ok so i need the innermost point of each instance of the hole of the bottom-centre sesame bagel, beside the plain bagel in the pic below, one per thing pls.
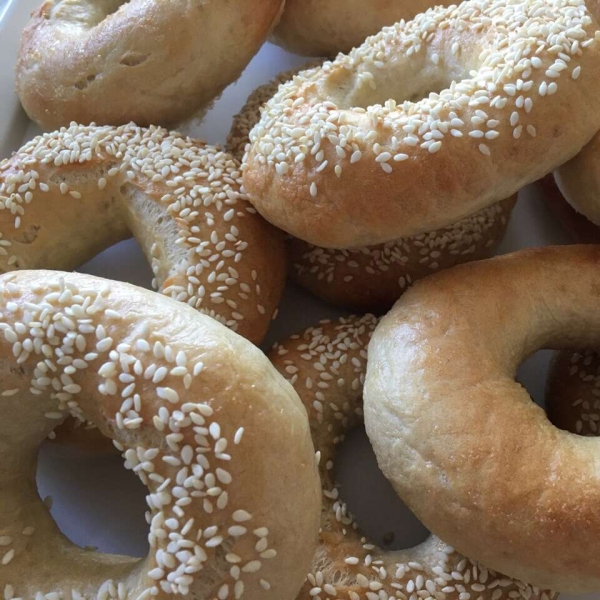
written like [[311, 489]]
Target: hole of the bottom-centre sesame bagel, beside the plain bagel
[[379, 512]]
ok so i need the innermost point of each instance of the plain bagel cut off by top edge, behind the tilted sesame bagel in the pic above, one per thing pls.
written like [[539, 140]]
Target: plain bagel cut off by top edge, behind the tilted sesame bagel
[[315, 28]]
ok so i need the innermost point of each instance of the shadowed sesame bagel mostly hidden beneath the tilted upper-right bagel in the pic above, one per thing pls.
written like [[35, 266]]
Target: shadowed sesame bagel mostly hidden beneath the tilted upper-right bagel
[[373, 277]]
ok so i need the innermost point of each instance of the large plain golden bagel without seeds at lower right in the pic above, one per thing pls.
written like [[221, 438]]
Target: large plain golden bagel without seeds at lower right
[[461, 440]]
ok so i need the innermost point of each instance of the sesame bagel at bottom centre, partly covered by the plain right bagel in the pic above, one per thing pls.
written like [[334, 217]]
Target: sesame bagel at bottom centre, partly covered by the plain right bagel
[[326, 365]]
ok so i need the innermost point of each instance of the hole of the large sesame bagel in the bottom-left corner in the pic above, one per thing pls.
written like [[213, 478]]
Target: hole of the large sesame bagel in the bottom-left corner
[[95, 502]]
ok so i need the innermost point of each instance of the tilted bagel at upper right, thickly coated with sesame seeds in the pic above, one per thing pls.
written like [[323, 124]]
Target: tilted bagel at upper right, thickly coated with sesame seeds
[[369, 145]]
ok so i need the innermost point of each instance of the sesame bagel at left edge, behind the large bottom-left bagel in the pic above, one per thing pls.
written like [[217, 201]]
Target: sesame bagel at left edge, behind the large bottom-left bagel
[[180, 198]]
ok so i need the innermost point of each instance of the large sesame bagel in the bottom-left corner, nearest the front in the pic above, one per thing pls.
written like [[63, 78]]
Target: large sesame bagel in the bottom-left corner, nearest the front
[[218, 437]]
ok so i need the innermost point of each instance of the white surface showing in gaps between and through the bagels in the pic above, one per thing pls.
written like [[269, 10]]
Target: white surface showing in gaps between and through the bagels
[[96, 501]]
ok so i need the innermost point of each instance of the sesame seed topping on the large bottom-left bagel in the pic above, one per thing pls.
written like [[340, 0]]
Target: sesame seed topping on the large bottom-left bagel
[[185, 457]]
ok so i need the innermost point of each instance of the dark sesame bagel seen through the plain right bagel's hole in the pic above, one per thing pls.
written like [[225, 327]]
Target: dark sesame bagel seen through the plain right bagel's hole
[[573, 392]]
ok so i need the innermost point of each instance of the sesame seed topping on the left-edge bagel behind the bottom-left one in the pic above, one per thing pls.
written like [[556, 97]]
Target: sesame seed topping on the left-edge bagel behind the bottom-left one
[[203, 259]]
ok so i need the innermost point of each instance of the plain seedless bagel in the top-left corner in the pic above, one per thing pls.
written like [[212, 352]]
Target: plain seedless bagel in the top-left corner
[[115, 61]]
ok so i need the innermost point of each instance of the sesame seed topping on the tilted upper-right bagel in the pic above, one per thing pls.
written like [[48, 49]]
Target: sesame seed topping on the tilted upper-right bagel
[[326, 120]]
